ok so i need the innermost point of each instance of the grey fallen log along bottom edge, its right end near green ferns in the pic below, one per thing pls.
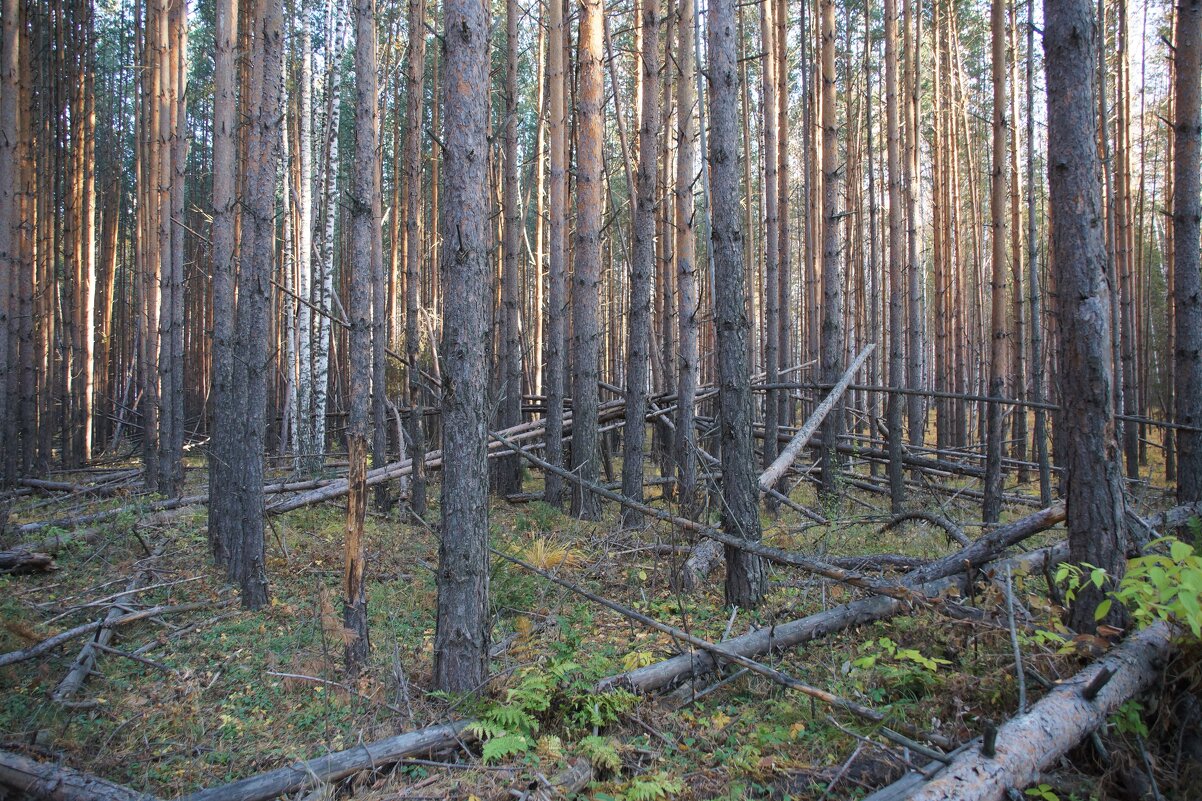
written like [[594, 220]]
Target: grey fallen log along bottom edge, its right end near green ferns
[[338, 766]]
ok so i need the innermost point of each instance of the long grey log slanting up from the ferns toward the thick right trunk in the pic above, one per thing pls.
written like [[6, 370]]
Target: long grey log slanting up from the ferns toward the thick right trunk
[[814, 627]]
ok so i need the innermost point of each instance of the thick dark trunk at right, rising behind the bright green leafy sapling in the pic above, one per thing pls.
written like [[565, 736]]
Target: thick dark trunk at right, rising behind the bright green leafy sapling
[[1096, 496]]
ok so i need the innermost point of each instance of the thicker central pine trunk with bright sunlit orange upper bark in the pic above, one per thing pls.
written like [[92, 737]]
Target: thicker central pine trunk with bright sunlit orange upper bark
[[587, 258]]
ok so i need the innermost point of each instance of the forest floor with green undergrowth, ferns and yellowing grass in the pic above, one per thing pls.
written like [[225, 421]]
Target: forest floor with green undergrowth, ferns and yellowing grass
[[229, 693]]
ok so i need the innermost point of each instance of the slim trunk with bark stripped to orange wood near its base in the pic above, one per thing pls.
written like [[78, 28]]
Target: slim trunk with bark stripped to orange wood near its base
[[365, 251]]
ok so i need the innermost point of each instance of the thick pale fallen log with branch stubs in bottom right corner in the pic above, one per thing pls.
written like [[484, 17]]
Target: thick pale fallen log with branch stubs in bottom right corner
[[1031, 743]]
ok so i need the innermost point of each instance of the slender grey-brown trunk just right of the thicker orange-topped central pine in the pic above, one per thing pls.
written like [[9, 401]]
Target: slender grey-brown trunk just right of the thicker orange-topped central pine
[[642, 266]]
